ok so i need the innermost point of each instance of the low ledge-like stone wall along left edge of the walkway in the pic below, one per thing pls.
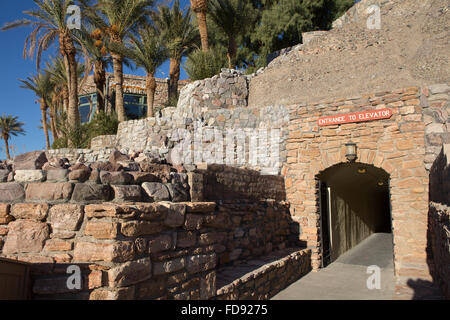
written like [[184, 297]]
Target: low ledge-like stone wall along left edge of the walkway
[[264, 277]]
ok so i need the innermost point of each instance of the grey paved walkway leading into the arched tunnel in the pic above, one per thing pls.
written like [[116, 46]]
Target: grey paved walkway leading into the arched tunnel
[[346, 278]]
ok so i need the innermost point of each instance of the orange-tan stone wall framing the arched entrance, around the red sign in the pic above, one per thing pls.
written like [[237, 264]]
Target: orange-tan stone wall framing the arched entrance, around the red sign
[[396, 145]]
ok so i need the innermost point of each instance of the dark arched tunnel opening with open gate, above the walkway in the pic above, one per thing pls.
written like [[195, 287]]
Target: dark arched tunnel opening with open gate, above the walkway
[[354, 204]]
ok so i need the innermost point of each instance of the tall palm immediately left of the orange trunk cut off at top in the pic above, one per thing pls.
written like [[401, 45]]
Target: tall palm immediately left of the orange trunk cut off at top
[[180, 37]]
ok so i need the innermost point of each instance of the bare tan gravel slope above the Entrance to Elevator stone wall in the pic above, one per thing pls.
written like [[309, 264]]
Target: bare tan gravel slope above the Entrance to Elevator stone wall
[[411, 49]]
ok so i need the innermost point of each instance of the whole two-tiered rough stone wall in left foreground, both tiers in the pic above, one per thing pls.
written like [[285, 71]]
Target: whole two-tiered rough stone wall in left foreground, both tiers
[[129, 242]]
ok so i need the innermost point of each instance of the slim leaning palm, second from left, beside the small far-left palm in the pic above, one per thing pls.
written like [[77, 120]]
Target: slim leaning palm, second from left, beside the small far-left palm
[[42, 85]]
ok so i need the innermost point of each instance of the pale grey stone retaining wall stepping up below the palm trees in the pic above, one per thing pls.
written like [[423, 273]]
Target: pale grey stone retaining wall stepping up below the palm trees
[[201, 121]]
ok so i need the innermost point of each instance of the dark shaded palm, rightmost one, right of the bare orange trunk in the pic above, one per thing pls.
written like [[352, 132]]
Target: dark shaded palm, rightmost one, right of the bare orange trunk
[[230, 16]]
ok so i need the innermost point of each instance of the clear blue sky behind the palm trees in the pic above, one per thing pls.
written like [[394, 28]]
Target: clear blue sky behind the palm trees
[[20, 102]]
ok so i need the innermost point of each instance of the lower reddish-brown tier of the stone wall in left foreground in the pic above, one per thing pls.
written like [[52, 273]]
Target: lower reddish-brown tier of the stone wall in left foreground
[[138, 250]]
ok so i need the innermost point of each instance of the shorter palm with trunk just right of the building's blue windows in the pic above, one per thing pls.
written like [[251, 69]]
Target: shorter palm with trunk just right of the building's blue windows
[[148, 52]]
